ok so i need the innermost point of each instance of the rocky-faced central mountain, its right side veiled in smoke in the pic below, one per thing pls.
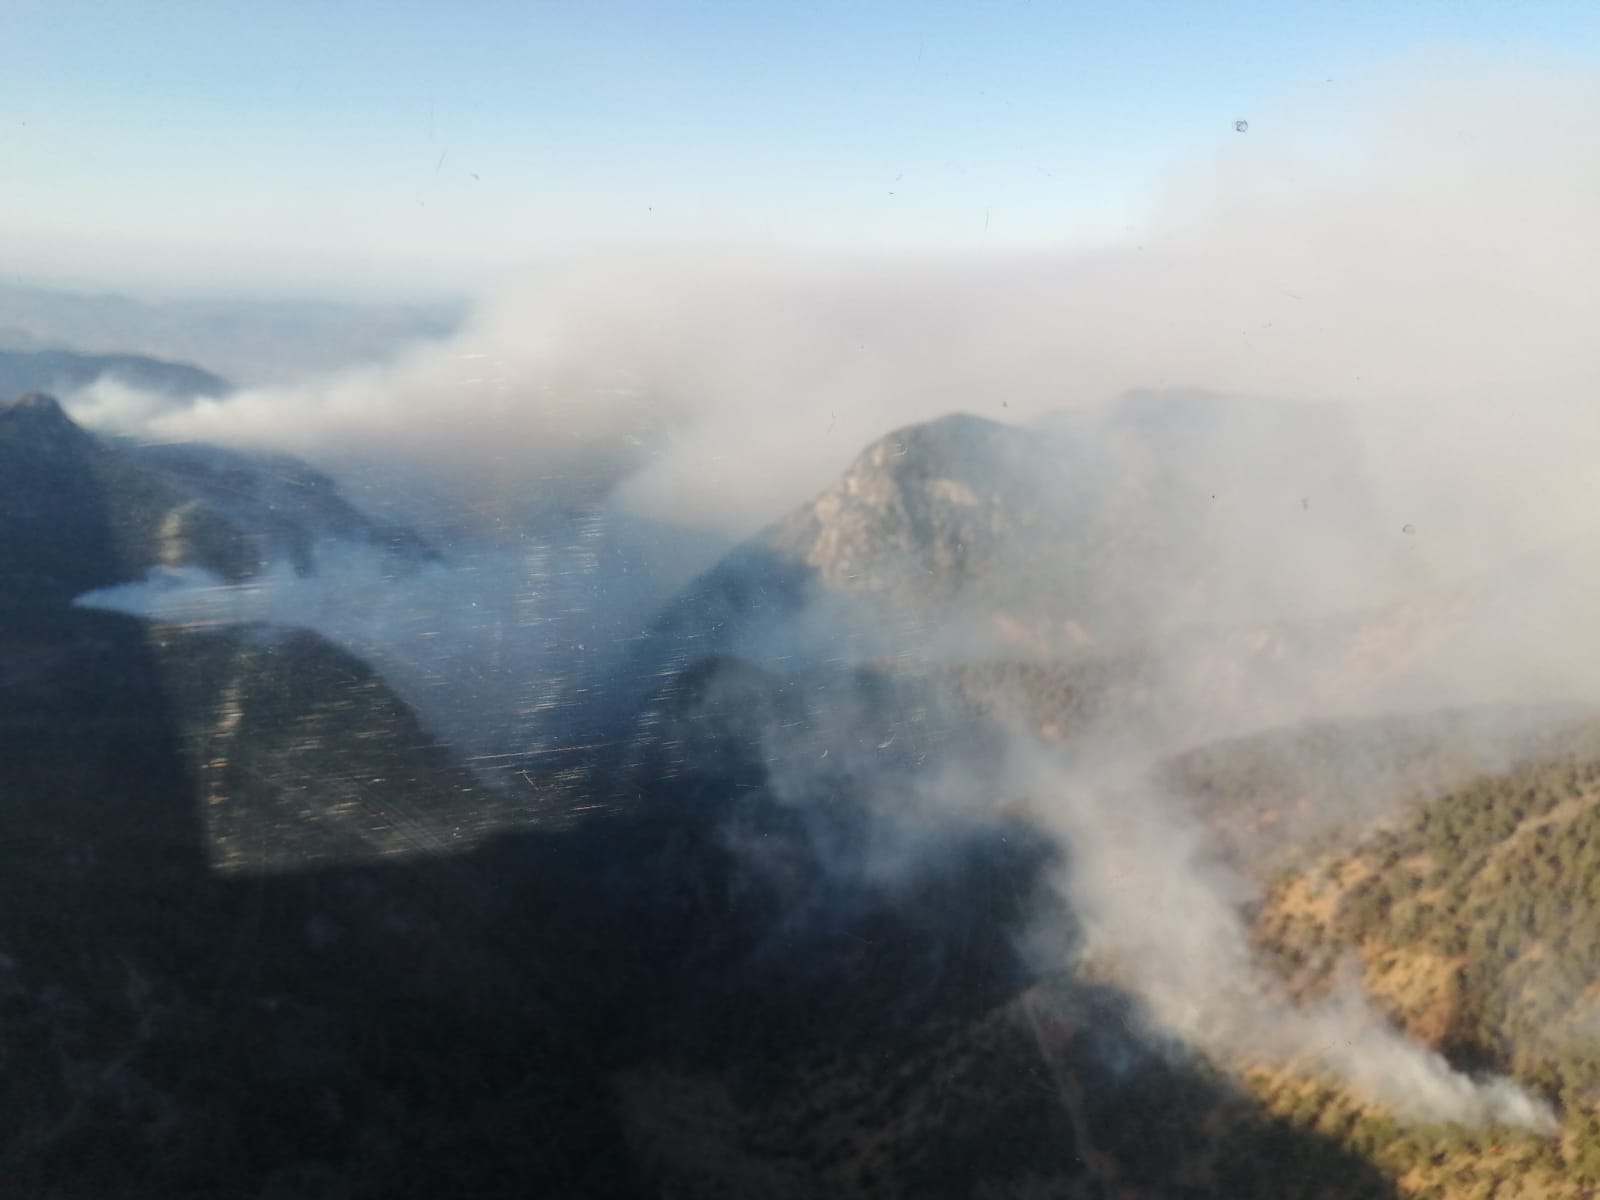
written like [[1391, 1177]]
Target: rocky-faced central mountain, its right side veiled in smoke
[[1082, 535]]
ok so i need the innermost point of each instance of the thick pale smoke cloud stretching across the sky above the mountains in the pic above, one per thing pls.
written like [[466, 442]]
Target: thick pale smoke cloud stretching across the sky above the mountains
[[1436, 271]]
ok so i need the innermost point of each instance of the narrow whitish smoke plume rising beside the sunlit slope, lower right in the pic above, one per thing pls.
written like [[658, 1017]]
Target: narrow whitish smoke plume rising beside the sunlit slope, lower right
[[1166, 918]]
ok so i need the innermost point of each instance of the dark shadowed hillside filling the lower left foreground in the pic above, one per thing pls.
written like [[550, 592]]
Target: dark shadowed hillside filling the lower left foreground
[[258, 937]]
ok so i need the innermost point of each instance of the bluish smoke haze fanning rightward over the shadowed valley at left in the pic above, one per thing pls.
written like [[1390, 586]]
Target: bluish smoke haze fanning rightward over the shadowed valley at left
[[503, 650]]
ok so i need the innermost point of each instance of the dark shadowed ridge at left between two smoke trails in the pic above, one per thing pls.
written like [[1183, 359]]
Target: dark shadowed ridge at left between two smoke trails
[[84, 513]]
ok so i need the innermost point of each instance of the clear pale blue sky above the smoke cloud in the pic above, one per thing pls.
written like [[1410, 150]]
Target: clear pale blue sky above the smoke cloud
[[369, 143]]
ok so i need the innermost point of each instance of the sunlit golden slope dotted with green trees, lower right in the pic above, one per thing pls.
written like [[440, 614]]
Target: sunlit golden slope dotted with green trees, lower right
[[1476, 922]]
